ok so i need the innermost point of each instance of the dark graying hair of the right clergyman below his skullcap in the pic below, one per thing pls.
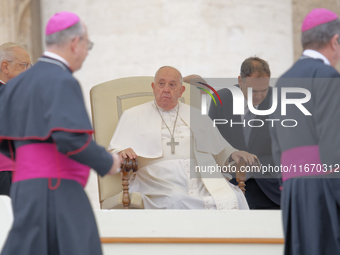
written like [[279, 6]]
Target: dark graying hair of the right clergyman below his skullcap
[[317, 37]]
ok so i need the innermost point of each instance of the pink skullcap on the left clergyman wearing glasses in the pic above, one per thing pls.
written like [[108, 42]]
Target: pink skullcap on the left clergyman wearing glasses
[[61, 21]]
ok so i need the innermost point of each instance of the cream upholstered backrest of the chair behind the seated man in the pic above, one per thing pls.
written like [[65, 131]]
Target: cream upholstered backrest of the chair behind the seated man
[[108, 101]]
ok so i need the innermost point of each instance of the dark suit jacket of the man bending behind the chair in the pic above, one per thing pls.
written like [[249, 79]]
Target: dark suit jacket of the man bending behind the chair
[[259, 144]]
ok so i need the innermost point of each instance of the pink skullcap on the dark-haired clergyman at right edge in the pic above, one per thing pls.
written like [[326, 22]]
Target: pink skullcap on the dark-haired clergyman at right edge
[[317, 17]]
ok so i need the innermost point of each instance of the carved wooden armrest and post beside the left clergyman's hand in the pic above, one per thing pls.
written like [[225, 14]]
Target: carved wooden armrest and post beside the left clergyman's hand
[[127, 166]]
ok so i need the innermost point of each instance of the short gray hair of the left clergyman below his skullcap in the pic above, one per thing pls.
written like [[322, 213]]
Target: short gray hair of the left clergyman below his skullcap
[[63, 36]]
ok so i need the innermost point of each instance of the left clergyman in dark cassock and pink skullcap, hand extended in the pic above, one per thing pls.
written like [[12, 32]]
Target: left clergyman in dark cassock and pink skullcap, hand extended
[[48, 133]]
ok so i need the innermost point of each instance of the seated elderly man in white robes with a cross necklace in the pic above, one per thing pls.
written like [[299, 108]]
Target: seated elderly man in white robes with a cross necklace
[[169, 150]]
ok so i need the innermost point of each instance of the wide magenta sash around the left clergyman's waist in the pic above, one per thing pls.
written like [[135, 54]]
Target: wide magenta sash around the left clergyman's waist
[[42, 160]]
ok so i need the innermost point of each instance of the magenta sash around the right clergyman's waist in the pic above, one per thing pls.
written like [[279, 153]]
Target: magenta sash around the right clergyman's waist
[[302, 161]]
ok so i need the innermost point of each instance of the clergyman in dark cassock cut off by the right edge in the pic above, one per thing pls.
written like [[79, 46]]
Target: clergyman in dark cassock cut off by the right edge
[[309, 150]]
